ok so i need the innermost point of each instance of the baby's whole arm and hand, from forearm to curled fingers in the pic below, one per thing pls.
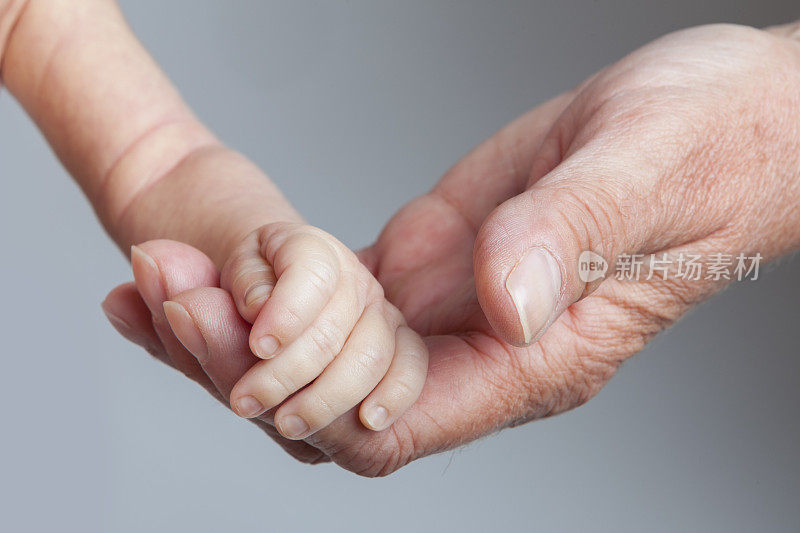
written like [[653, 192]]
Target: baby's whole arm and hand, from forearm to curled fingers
[[328, 338]]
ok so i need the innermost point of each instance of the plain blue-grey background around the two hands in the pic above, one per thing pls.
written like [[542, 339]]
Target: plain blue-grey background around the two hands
[[354, 107]]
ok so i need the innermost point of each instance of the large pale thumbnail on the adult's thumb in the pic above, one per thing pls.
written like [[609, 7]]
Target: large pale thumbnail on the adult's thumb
[[534, 285]]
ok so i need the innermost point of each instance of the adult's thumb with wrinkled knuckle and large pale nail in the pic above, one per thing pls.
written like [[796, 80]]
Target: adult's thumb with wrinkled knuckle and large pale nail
[[541, 251]]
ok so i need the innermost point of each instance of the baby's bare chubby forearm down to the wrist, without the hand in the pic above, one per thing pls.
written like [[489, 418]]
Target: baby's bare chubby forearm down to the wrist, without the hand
[[123, 131]]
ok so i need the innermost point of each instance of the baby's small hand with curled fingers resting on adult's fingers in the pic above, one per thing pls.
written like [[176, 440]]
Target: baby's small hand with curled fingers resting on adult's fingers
[[328, 338]]
